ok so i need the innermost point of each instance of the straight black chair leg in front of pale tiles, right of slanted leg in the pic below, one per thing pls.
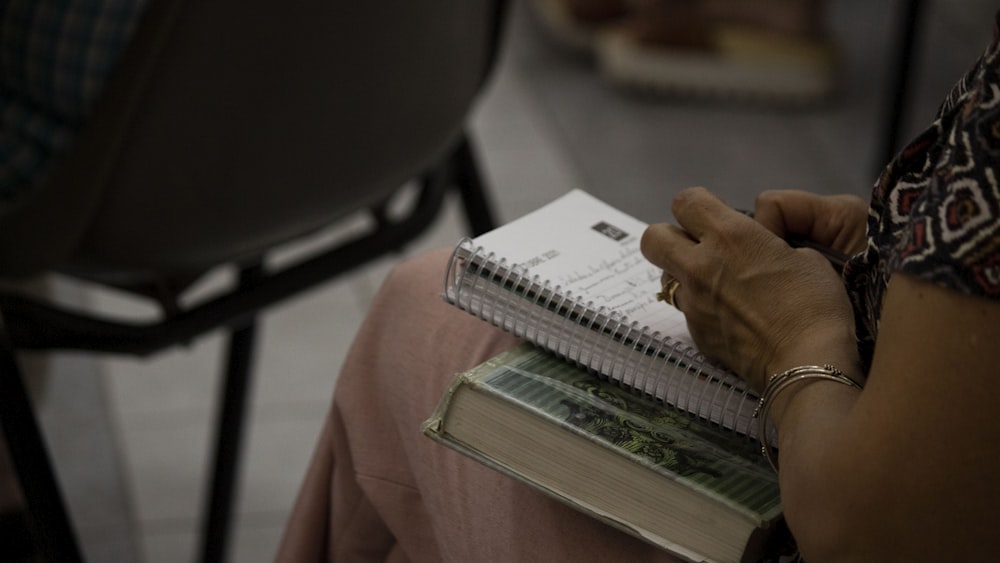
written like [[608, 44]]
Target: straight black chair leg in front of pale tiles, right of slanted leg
[[229, 435]]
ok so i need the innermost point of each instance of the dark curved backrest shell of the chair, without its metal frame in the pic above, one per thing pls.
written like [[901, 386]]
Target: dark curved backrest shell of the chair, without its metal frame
[[231, 125]]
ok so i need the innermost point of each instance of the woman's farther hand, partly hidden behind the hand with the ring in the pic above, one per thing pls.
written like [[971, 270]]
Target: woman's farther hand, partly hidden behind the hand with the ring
[[837, 221]]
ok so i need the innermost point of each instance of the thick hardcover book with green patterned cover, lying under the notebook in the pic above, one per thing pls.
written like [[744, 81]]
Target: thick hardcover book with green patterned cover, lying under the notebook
[[719, 472]]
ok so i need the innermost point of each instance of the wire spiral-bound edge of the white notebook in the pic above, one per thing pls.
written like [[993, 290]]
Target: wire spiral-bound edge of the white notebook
[[606, 342]]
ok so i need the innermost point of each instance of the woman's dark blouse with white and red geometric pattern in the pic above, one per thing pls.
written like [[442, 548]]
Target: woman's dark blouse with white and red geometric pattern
[[935, 210]]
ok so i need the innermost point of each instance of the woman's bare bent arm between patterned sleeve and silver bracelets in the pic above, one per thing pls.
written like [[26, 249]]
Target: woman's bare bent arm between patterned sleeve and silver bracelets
[[904, 470]]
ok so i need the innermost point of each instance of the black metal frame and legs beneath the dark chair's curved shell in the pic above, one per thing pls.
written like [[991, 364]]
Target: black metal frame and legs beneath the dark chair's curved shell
[[30, 324]]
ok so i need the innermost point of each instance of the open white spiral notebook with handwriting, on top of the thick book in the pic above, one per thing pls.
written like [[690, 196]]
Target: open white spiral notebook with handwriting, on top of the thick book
[[570, 277]]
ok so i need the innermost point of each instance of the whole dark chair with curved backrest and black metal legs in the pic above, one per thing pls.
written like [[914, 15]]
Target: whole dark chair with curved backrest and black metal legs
[[227, 129]]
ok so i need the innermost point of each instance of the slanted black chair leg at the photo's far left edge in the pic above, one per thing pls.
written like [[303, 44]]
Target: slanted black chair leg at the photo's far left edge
[[48, 517]]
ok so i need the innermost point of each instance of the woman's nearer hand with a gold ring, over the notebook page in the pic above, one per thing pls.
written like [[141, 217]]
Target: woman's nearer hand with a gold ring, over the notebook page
[[751, 301]]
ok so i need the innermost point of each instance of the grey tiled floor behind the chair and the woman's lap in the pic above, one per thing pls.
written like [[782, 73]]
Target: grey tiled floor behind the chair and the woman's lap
[[548, 123]]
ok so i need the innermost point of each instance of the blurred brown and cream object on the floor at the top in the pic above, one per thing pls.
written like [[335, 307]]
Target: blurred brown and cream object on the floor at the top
[[775, 51]]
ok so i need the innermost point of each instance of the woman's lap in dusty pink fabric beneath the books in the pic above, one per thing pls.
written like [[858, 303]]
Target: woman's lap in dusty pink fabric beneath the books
[[434, 504]]
